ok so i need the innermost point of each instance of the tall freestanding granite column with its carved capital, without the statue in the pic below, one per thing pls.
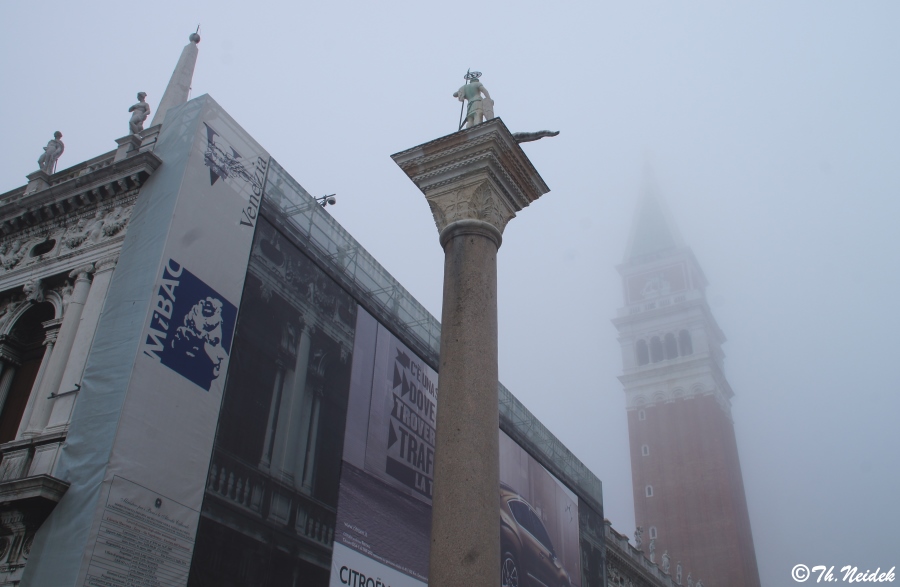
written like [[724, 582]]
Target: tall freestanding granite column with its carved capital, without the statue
[[474, 181]]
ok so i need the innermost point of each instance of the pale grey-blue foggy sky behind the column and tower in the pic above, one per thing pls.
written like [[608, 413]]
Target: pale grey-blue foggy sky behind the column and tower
[[770, 129]]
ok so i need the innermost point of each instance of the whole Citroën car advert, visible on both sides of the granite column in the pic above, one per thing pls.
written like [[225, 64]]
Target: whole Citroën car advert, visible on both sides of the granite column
[[383, 525]]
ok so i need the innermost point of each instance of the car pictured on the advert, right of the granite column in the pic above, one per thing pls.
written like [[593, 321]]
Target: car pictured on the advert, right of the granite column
[[528, 558]]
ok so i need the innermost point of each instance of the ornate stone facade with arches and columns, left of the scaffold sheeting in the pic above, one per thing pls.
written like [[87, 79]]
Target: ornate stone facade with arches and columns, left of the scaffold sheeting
[[61, 235]]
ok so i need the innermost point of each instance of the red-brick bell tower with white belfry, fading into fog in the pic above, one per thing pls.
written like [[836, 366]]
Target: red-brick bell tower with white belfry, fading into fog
[[688, 490]]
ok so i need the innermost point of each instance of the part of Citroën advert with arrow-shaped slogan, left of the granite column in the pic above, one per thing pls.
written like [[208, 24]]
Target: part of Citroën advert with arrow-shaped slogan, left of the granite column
[[384, 504]]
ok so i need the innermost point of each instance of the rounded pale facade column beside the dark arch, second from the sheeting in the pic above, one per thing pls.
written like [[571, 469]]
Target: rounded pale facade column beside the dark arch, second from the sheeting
[[52, 377]]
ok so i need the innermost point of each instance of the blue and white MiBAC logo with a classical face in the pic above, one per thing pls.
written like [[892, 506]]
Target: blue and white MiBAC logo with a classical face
[[198, 347]]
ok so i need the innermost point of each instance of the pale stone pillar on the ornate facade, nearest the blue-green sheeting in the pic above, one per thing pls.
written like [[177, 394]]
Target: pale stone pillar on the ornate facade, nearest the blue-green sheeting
[[81, 346]]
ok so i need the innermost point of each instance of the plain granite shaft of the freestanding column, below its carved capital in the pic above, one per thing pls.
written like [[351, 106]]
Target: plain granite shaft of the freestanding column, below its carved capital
[[466, 504]]
